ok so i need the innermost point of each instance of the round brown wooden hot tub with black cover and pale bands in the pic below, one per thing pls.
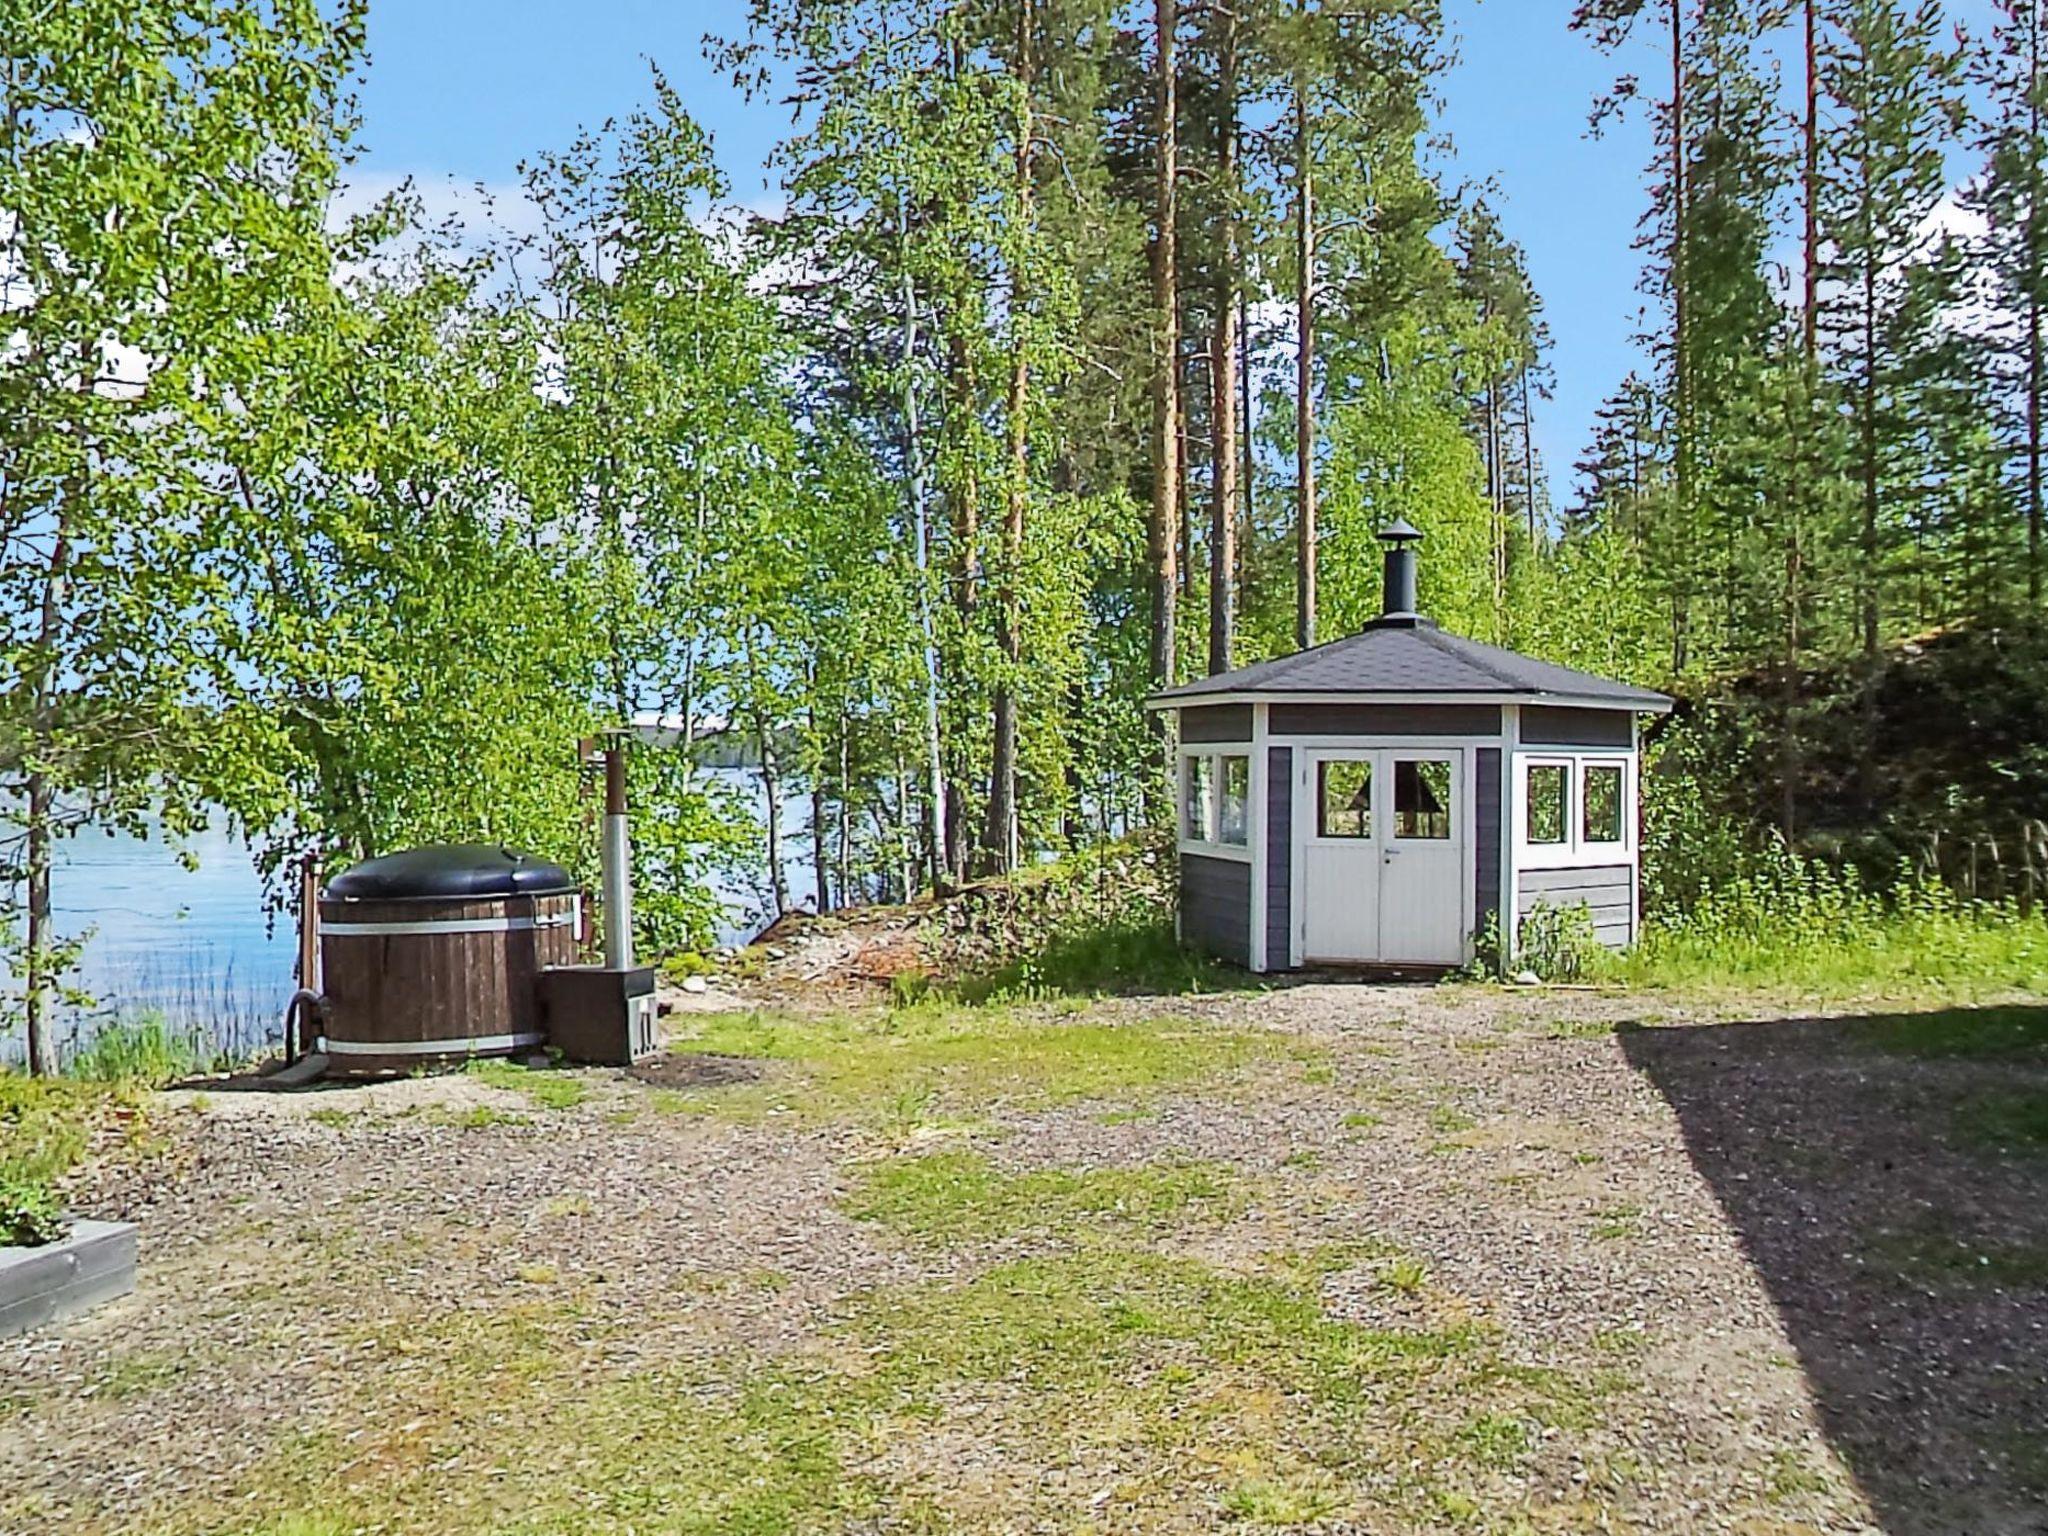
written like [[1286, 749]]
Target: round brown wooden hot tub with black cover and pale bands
[[435, 955]]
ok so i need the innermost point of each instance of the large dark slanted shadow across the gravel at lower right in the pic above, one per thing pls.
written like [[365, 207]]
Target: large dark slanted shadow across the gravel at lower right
[[1889, 1179]]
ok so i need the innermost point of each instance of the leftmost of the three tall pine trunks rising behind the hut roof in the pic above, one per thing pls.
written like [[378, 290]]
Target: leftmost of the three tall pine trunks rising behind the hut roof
[[1162, 531]]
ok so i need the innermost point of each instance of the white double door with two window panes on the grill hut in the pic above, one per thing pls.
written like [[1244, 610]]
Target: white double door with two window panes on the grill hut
[[1381, 843]]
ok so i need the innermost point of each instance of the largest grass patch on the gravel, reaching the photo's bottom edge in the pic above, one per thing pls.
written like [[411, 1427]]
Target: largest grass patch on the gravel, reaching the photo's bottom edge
[[1197, 1383]]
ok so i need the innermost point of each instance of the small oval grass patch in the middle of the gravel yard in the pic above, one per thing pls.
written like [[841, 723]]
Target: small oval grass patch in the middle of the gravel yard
[[959, 1197]]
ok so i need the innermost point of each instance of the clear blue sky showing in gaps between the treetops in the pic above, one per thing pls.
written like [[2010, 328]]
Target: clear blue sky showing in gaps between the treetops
[[464, 89]]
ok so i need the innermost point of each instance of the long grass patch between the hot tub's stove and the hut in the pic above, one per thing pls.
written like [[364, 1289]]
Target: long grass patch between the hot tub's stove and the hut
[[912, 1066]]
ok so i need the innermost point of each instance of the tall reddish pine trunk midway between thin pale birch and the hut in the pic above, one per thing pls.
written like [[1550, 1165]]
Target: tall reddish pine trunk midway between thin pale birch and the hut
[[1002, 837]]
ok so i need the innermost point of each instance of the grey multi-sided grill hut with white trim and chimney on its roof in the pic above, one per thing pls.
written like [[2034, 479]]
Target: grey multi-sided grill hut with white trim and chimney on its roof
[[1377, 800]]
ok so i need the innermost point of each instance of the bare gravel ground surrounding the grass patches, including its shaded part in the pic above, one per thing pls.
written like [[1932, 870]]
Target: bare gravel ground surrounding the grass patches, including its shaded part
[[1828, 1287]]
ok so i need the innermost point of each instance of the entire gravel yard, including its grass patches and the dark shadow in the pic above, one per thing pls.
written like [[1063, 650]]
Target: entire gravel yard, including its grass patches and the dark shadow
[[1318, 1258]]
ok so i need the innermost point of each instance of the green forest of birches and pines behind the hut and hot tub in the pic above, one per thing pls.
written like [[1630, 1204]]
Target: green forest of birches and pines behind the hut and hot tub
[[1089, 353]]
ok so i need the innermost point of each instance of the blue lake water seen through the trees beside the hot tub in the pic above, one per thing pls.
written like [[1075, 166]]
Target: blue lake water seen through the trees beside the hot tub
[[198, 945]]
